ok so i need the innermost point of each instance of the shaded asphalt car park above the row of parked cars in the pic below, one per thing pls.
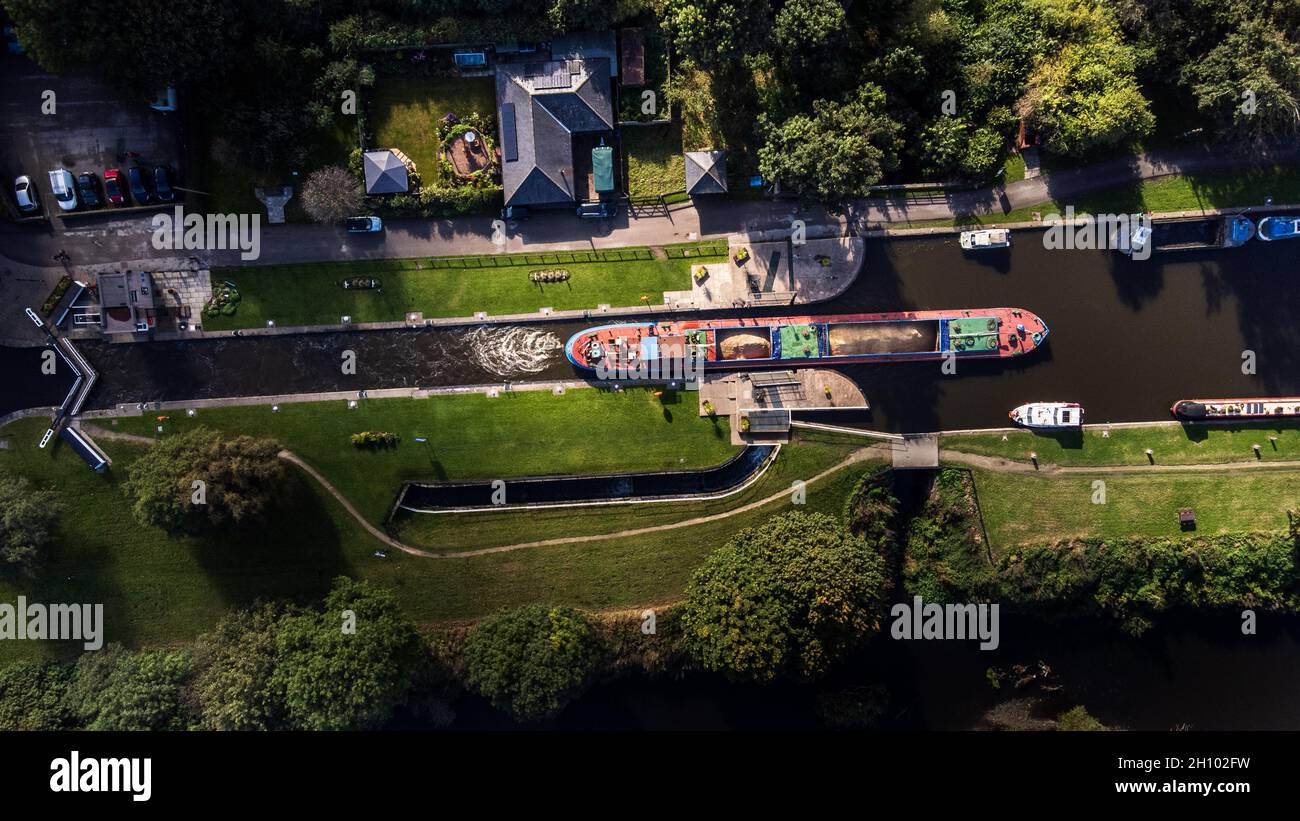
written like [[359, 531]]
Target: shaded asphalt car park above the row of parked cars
[[92, 129]]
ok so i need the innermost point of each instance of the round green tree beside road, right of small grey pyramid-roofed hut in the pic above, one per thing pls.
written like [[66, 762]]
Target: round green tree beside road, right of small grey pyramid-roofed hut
[[835, 155]]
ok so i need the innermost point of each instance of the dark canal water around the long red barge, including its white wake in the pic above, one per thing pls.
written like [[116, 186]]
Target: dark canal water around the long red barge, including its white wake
[[1128, 338]]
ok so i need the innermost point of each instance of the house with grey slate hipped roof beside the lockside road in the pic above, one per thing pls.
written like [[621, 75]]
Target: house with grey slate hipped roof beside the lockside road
[[552, 116]]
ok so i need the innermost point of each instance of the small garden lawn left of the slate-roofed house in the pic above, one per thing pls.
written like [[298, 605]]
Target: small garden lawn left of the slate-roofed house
[[406, 112]]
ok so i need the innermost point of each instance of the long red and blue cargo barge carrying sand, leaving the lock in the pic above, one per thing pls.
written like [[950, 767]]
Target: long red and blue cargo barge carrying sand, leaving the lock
[[786, 342]]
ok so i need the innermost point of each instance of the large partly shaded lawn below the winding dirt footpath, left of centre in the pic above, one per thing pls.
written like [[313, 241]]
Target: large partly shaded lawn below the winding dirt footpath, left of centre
[[161, 590]]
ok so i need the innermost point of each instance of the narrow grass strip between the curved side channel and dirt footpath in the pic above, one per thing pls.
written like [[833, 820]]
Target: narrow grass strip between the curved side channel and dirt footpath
[[450, 532]]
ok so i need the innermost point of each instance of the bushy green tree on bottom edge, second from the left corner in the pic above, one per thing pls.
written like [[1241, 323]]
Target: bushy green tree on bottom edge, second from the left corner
[[115, 689]]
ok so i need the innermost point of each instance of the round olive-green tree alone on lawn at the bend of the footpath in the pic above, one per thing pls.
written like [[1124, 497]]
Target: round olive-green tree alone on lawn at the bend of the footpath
[[240, 481]]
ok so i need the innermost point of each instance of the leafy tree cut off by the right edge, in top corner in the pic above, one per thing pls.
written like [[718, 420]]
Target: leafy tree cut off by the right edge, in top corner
[[1251, 82]]
